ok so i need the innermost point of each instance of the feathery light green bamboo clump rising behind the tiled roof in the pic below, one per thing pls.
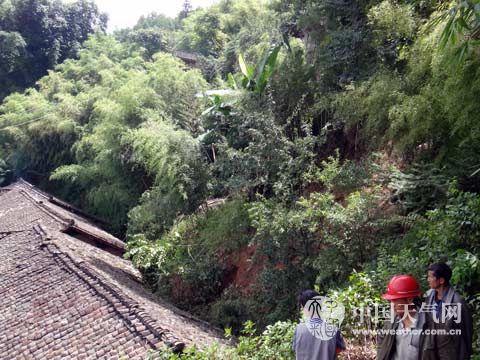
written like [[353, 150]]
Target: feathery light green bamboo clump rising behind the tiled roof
[[110, 126]]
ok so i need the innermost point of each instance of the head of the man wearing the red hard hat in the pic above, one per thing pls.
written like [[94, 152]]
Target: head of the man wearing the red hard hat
[[402, 292]]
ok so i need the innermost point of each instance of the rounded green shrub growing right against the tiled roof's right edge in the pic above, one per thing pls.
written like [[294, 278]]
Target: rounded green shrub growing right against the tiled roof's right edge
[[184, 264]]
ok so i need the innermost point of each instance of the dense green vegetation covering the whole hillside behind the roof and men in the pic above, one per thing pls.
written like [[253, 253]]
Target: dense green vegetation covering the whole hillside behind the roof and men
[[342, 148]]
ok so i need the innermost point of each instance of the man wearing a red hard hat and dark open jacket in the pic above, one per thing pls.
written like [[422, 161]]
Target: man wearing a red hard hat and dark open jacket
[[400, 338]]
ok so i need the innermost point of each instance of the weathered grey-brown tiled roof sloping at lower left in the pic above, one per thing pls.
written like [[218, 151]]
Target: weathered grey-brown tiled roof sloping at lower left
[[65, 293]]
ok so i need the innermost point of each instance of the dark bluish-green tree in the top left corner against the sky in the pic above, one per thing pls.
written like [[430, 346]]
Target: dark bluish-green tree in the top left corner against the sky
[[36, 35]]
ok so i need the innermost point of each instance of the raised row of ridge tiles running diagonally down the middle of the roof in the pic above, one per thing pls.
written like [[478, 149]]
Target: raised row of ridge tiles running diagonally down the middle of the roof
[[134, 315]]
